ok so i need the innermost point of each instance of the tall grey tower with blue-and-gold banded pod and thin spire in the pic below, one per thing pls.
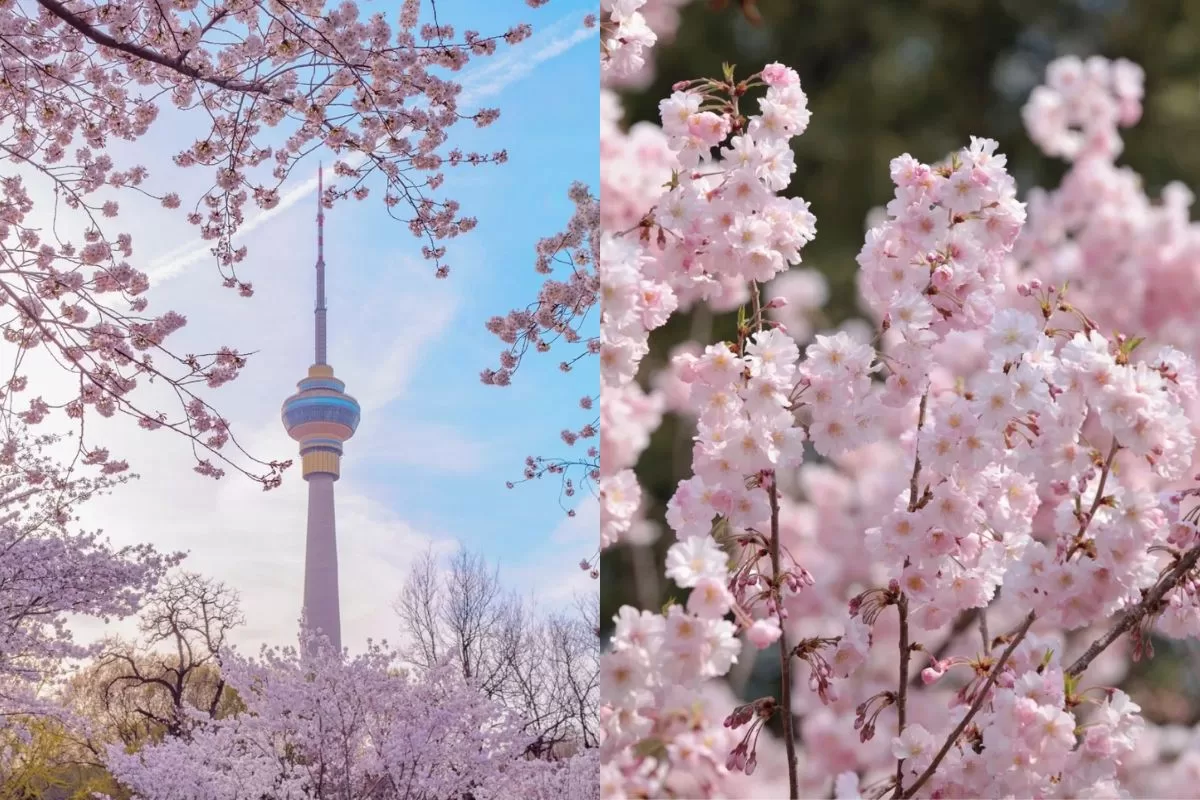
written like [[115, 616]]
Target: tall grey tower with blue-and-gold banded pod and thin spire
[[321, 417]]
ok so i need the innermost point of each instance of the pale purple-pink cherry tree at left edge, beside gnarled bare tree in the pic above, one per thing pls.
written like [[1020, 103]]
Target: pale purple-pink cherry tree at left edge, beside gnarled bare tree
[[52, 573]]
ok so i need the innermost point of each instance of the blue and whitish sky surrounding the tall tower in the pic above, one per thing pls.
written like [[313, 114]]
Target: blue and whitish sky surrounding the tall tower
[[429, 464]]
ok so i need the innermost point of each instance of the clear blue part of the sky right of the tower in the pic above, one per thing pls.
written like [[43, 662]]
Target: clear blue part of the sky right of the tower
[[549, 125]]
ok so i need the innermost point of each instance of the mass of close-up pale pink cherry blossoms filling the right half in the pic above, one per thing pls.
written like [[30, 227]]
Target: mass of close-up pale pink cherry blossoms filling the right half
[[953, 533]]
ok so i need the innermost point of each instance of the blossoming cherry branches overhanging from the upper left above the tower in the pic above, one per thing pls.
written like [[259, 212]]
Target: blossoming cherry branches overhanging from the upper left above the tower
[[263, 87]]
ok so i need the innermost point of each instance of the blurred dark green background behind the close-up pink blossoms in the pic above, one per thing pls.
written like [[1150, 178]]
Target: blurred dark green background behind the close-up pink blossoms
[[905, 76]]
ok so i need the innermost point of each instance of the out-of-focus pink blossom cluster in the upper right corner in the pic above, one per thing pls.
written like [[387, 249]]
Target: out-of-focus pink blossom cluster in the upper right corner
[[1129, 257]]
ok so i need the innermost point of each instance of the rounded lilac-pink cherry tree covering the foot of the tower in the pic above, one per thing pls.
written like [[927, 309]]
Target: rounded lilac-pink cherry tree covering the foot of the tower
[[359, 730]]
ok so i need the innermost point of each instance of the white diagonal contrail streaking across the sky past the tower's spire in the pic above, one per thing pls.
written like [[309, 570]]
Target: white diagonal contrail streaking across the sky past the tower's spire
[[479, 83]]
